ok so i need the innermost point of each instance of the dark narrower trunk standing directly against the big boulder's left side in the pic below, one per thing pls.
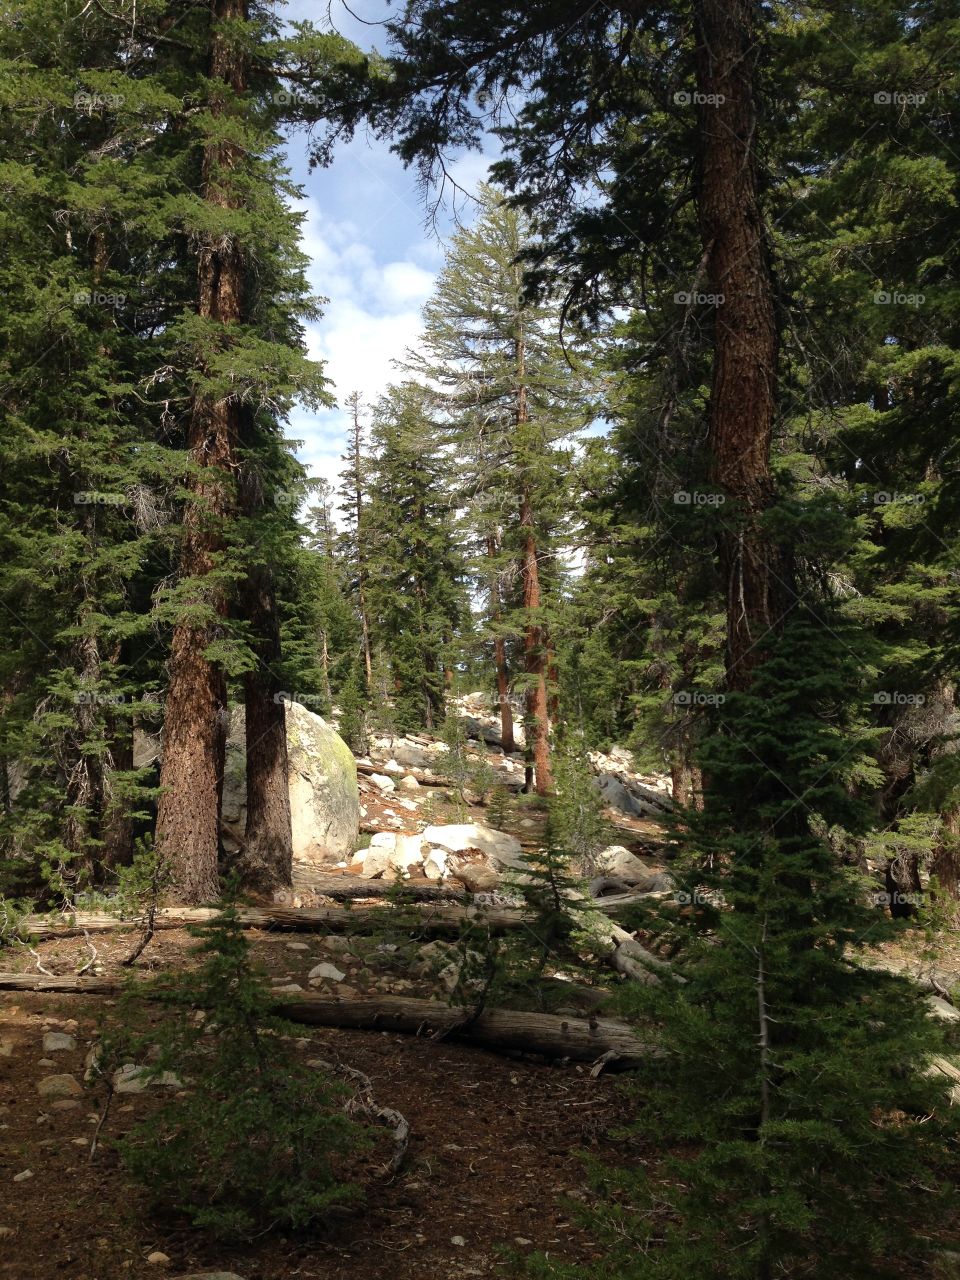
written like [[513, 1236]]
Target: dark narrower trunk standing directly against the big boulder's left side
[[266, 862]]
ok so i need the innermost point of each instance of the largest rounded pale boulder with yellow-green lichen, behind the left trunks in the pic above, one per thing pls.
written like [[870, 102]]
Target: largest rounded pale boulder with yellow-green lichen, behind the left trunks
[[323, 787]]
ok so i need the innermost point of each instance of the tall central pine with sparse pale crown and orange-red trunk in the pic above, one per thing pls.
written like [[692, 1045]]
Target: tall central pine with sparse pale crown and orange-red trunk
[[510, 399]]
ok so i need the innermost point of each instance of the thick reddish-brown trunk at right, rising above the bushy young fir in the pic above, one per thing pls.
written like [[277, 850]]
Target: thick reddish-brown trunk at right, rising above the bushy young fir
[[743, 395]]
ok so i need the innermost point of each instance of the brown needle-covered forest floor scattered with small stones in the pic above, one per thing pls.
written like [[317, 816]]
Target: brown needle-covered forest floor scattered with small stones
[[495, 1163]]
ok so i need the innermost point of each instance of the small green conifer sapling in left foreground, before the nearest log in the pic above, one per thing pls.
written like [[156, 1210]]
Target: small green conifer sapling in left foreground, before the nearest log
[[252, 1141]]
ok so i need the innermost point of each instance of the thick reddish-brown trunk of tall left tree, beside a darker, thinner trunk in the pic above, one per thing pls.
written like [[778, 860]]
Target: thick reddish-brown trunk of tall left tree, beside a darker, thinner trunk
[[191, 775]]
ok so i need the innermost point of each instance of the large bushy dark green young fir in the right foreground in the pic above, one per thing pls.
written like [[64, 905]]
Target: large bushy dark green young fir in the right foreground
[[794, 1096]]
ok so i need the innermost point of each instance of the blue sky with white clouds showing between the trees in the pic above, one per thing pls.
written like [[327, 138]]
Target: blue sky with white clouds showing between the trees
[[372, 255]]
